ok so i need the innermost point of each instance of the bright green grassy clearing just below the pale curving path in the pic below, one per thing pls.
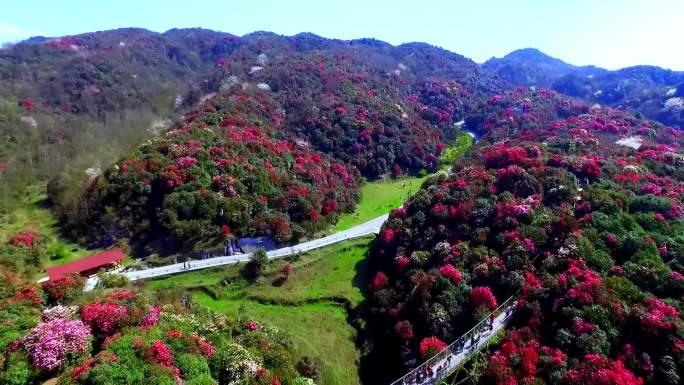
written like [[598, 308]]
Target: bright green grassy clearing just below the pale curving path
[[310, 305]]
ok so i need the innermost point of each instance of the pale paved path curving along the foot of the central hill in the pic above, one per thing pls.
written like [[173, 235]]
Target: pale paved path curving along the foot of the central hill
[[370, 227]]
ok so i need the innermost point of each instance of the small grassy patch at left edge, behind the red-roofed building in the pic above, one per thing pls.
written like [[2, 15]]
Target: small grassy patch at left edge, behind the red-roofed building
[[29, 212]]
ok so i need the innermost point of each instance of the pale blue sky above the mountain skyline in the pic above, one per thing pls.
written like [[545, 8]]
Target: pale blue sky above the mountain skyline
[[608, 33]]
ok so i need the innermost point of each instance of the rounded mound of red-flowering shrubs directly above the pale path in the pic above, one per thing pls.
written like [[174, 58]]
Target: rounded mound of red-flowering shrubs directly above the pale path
[[227, 169]]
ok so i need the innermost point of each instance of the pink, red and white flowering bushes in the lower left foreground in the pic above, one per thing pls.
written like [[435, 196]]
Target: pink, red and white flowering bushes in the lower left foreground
[[135, 343]]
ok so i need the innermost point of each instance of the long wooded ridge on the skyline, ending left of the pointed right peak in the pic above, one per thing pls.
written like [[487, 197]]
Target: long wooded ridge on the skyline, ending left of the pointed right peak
[[101, 72]]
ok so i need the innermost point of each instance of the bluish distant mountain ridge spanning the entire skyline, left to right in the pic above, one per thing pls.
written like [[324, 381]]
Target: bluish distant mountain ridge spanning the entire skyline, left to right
[[100, 72]]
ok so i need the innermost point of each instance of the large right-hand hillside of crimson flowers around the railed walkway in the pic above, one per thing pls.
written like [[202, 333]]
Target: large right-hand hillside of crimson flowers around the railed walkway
[[576, 210]]
